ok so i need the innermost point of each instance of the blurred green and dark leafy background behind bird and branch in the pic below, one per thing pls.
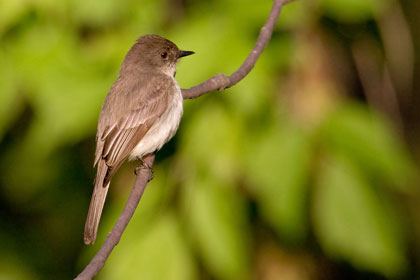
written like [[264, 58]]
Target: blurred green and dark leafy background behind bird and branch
[[306, 169]]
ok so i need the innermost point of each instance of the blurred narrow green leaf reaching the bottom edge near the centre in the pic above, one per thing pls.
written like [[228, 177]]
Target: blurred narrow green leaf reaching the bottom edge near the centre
[[216, 218]]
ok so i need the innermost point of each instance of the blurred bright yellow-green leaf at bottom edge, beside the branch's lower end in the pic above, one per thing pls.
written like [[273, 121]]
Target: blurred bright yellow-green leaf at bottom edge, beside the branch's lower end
[[159, 252]]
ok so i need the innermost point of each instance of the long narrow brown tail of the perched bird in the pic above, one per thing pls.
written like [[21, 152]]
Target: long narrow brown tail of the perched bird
[[96, 204]]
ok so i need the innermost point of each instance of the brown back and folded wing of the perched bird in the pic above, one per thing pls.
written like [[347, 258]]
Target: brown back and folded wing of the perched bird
[[127, 116]]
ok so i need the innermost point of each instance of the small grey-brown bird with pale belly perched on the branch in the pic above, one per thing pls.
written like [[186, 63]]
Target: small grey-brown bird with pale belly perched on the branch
[[141, 112]]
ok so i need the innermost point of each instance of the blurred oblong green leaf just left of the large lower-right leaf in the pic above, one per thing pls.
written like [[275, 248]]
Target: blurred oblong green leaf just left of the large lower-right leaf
[[279, 168]]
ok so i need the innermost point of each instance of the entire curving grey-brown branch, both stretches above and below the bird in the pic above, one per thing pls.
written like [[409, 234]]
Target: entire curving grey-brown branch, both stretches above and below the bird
[[217, 82]]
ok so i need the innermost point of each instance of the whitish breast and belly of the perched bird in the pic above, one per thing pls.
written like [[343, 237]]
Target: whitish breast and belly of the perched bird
[[162, 130]]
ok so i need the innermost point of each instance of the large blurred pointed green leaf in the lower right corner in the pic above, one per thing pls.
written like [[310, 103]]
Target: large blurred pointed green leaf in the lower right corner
[[354, 223]]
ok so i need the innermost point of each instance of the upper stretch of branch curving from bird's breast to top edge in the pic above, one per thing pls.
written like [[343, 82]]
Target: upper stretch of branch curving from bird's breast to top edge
[[221, 81]]
